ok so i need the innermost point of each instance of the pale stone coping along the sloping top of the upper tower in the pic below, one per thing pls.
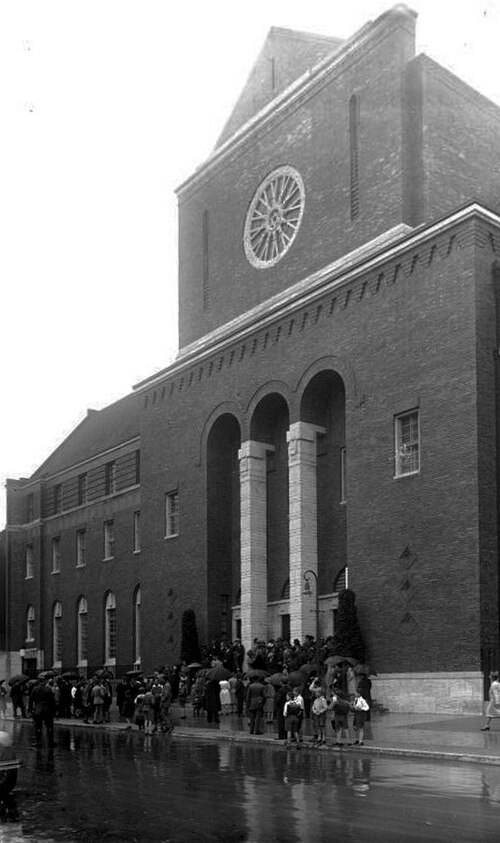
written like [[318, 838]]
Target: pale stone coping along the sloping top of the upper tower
[[302, 87]]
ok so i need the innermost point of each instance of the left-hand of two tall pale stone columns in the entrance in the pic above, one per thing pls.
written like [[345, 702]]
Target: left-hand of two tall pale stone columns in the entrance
[[253, 502]]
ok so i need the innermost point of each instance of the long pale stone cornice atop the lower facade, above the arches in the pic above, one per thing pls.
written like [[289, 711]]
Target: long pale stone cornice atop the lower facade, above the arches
[[331, 279]]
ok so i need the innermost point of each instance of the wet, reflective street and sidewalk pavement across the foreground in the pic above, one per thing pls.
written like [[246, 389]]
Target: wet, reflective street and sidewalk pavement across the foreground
[[207, 784]]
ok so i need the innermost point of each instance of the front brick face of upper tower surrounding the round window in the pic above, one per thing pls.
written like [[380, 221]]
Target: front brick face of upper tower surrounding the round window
[[313, 138]]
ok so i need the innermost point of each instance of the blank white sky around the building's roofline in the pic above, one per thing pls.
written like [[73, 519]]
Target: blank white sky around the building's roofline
[[105, 107]]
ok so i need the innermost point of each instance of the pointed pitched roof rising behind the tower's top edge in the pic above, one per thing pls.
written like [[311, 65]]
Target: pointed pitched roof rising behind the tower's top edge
[[286, 55]]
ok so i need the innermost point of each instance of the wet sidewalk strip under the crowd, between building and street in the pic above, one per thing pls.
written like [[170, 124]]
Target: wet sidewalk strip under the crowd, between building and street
[[448, 737]]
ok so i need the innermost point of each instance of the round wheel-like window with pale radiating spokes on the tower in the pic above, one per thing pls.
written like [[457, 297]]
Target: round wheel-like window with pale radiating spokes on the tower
[[274, 217]]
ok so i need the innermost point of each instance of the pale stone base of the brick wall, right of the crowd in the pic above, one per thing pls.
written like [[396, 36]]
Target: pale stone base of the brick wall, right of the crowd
[[430, 693]]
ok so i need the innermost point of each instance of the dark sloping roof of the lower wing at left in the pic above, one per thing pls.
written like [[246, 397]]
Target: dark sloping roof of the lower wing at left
[[99, 431]]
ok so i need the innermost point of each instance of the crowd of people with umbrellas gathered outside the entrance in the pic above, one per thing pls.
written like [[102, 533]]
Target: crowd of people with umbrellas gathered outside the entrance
[[278, 683]]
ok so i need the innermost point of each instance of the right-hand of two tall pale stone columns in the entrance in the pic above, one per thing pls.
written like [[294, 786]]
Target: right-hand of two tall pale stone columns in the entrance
[[301, 439]]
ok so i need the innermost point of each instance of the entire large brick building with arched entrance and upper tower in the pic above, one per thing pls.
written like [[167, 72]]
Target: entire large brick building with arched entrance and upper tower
[[333, 405]]
